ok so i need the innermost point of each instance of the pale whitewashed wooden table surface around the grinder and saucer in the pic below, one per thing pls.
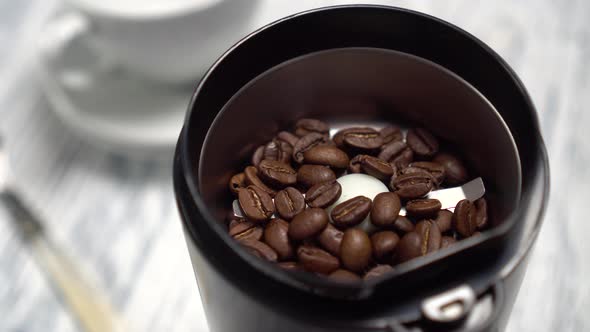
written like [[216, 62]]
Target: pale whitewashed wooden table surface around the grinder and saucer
[[116, 216]]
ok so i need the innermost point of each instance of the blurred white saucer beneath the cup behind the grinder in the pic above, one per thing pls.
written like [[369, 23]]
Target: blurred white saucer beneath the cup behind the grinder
[[108, 106]]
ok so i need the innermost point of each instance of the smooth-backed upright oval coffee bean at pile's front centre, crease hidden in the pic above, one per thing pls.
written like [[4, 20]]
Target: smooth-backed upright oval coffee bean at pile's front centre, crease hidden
[[355, 250]]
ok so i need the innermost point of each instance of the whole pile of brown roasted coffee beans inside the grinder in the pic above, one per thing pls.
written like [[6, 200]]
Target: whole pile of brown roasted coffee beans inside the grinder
[[286, 196]]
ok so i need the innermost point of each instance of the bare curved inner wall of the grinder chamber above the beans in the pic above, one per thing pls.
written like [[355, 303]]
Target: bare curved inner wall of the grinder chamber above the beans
[[358, 87]]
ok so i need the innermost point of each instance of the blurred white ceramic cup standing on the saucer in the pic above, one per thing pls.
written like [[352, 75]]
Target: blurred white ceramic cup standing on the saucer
[[172, 41]]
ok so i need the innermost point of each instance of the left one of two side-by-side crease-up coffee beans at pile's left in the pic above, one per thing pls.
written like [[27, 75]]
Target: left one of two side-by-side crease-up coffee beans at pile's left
[[256, 204]]
